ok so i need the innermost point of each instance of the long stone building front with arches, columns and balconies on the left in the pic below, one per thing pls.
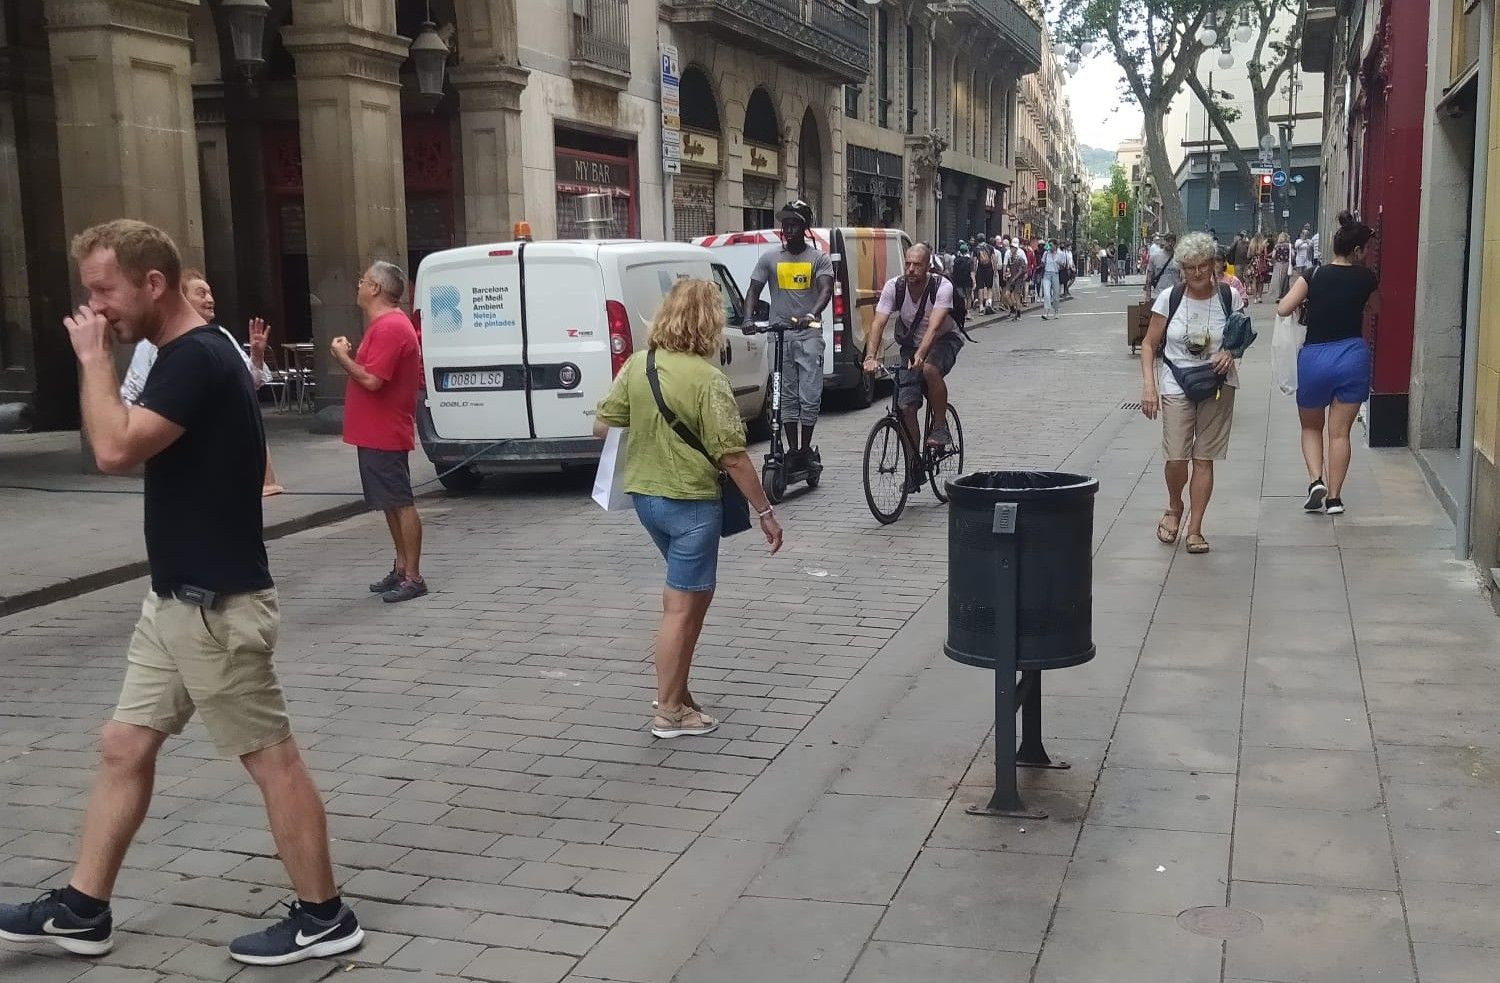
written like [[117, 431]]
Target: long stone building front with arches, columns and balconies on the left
[[287, 175]]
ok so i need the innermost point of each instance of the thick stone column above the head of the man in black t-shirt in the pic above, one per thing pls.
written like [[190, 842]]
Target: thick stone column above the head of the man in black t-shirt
[[122, 76]]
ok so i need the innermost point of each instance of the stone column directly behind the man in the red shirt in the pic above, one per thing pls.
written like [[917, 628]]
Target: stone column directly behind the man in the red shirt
[[349, 101]]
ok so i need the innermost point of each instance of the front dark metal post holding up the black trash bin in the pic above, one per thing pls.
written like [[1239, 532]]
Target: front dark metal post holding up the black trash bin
[[1007, 799]]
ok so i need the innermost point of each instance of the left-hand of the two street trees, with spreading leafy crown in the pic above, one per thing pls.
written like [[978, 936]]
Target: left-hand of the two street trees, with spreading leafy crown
[[1156, 43]]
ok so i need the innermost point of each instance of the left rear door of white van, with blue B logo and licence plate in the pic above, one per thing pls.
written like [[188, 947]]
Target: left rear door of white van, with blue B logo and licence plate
[[473, 344]]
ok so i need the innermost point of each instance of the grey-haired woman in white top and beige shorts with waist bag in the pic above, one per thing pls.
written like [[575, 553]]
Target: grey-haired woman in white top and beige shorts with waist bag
[[1187, 331]]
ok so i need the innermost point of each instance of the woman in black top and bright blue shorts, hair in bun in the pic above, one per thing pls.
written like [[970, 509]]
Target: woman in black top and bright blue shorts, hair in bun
[[1334, 364]]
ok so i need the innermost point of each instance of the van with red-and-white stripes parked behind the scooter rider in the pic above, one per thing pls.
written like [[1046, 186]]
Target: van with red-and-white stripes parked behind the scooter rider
[[865, 260]]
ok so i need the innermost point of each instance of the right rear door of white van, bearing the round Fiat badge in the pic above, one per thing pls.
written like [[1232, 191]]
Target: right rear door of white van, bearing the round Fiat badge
[[568, 338]]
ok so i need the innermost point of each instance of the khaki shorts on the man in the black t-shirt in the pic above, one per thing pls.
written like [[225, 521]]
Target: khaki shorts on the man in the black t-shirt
[[214, 661]]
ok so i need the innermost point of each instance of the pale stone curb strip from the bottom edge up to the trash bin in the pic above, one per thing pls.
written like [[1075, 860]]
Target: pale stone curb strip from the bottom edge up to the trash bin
[[709, 879]]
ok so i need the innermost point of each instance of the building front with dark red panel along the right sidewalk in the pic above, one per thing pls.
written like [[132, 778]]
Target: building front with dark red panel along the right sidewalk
[[1412, 148]]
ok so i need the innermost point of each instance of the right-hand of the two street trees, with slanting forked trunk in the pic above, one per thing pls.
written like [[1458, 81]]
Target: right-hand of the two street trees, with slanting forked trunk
[[1271, 59]]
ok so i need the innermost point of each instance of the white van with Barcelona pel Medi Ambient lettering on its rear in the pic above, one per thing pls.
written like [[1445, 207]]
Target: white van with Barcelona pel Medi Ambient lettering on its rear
[[521, 341]]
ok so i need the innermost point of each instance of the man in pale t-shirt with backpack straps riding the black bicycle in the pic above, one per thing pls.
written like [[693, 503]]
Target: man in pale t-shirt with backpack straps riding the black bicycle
[[929, 350]]
